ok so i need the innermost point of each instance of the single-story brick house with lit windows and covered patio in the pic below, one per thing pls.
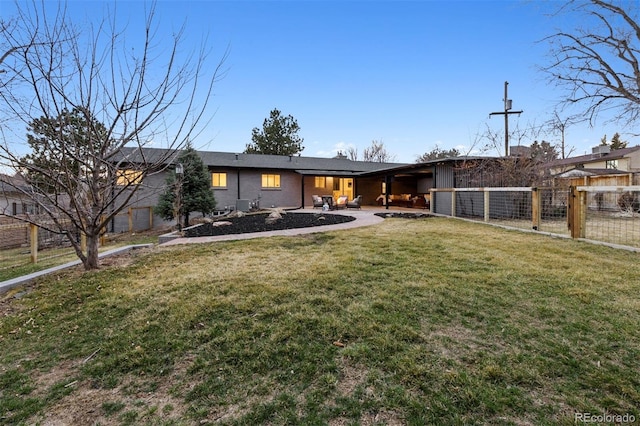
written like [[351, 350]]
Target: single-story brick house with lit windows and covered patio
[[240, 180]]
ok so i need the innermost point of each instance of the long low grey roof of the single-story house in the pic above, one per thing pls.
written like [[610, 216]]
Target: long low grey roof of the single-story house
[[300, 164]]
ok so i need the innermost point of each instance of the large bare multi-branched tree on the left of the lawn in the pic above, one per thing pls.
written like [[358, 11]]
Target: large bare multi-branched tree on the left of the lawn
[[123, 97]]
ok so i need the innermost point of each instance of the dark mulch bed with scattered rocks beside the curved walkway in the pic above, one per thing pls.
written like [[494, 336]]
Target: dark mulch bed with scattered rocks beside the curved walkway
[[257, 223]]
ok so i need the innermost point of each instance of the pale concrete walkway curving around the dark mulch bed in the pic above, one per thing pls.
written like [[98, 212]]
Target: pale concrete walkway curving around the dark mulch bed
[[364, 217]]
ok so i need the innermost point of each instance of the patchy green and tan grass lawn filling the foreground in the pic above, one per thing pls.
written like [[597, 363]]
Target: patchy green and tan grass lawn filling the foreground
[[422, 321]]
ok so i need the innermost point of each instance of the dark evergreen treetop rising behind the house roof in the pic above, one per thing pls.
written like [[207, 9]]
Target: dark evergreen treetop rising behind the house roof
[[279, 136]]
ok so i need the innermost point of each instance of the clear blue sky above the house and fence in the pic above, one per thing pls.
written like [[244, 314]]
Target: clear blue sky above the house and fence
[[414, 75]]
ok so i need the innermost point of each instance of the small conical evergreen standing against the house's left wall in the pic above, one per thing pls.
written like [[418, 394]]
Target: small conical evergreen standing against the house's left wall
[[195, 189]]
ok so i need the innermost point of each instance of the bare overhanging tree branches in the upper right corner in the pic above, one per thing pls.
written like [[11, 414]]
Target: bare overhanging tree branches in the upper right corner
[[598, 63]]
